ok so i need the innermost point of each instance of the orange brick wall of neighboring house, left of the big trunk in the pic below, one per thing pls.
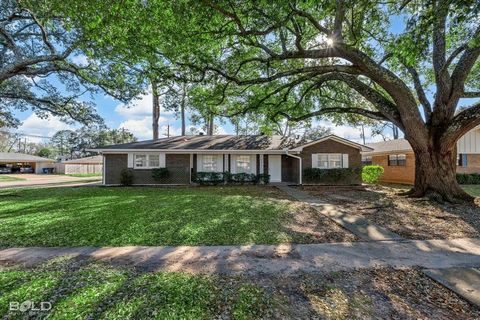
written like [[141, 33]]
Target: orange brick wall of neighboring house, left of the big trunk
[[396, 174]]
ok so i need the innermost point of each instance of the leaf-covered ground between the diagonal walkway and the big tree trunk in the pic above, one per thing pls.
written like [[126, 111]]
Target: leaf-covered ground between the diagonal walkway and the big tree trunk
[[410, 218]]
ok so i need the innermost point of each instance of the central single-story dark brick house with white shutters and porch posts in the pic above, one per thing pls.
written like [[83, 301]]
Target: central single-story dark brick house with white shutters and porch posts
[[184, 156]]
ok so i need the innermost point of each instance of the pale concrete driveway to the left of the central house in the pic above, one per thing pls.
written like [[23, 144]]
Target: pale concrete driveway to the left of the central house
[[41, 180]]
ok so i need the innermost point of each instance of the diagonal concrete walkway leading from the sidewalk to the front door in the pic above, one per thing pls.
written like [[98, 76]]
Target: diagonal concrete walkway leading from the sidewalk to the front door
[[359, 226]]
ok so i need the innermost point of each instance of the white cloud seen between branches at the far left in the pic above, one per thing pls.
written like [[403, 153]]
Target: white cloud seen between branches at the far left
[[42, 127]]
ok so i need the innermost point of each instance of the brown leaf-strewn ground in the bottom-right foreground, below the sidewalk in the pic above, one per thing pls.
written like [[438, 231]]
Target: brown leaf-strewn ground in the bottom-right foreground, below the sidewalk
[[383, 293]]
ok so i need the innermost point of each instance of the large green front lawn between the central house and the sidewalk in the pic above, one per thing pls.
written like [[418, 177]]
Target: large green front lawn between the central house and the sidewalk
[[144, 216]]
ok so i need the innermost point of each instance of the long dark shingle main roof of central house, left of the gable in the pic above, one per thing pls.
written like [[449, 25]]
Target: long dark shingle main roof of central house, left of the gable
[[204, 142]]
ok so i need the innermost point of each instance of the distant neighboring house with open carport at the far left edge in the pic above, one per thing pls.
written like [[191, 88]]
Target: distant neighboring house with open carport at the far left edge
[[13, 162]]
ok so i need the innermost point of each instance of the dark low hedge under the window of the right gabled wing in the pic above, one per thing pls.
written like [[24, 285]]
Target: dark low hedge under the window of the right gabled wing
[[332, 176]]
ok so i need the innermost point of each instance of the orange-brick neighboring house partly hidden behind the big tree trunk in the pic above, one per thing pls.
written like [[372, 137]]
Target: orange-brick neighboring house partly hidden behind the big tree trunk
[[398, 160]]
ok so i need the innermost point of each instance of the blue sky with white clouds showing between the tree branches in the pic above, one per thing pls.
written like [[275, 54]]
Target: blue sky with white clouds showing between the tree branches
[[136, 116]]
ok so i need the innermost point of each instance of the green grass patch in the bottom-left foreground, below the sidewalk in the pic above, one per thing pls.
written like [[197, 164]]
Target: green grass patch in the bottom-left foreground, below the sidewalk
[[85, 290]]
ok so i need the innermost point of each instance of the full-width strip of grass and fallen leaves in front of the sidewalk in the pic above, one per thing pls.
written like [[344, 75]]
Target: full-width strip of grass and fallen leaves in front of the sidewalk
[[82, 288]]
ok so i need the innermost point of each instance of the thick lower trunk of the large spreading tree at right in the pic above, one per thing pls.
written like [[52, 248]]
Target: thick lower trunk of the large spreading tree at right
[[435, 175]]
